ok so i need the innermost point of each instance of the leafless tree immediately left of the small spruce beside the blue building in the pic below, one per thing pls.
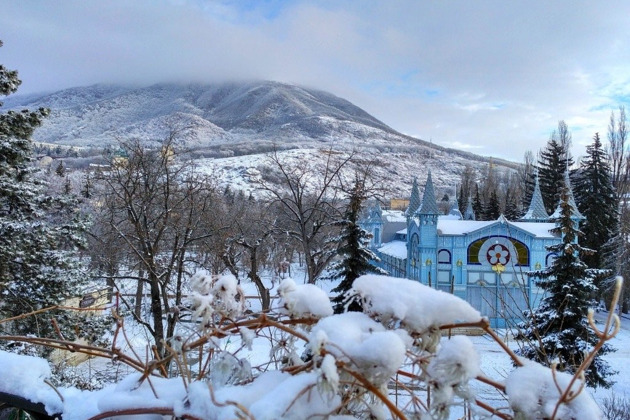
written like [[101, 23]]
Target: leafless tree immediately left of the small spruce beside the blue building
[[308, 204]]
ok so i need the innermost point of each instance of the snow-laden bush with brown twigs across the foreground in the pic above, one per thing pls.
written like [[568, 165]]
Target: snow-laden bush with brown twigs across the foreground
[[392, 361]]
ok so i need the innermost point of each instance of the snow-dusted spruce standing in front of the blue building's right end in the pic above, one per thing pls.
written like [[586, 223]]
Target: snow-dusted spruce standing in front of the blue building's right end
[[558, 329]]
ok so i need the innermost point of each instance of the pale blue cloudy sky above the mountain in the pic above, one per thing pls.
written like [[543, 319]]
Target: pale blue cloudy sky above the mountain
[[491, 77]]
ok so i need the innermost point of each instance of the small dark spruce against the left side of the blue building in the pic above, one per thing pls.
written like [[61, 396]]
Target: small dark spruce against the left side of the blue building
[[356, 258]]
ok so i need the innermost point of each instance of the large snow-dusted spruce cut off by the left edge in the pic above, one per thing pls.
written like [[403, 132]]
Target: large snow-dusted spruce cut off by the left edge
[[39, 233]]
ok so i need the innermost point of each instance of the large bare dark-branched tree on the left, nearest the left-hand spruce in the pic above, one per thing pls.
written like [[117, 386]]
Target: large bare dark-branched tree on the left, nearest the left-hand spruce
[[157, 207]]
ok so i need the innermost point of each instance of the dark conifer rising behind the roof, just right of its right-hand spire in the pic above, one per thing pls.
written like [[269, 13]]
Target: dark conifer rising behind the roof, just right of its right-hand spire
[[553, 162]]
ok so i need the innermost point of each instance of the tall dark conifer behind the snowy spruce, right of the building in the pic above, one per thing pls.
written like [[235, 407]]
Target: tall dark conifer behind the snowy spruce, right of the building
[[596, 200]]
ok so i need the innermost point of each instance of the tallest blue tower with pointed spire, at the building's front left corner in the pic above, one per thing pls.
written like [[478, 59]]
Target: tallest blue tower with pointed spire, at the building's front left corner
[[427, 215]]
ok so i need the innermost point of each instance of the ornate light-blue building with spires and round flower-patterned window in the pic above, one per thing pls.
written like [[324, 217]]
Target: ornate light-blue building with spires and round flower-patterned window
[[484, 262]]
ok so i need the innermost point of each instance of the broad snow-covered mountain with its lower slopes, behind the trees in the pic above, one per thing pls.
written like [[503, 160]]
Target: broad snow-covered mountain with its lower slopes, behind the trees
[[229, 120]]
